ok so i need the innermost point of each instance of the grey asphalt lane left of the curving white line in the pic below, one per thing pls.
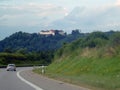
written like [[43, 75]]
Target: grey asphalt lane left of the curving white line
[[10, 81]]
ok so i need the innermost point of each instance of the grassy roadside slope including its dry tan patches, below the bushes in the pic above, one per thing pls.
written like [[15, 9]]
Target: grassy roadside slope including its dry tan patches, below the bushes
[[97, 68]]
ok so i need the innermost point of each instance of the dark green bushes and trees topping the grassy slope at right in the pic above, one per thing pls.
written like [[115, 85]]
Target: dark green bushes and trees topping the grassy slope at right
[[95, 40]]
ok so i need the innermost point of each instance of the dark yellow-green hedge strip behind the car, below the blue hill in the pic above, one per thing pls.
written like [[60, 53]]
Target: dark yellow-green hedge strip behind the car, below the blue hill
[[24, 58]]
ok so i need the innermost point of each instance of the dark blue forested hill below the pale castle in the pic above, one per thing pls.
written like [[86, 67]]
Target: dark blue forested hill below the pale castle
[[36, 42]]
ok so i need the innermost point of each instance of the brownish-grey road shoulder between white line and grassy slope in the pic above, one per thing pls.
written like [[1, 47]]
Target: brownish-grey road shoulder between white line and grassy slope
[[47, 83]]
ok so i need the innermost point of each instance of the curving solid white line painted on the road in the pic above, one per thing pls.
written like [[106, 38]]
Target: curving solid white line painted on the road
[[29, 83]]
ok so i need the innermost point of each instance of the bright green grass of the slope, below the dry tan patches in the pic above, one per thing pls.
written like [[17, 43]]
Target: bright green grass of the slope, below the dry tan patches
[[95, 73]]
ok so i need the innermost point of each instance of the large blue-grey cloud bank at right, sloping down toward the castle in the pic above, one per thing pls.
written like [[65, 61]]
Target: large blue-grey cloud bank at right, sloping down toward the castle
[[89, 20]]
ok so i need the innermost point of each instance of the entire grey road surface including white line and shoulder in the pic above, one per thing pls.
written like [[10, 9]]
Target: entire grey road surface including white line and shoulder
[[25, 79]]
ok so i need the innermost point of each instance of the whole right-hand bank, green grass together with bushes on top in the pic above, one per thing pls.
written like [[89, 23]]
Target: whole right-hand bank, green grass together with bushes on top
[[92, 61]]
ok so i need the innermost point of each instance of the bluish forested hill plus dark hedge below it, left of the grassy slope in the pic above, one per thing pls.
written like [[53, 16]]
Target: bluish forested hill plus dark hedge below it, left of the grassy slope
[[25, 48]]
